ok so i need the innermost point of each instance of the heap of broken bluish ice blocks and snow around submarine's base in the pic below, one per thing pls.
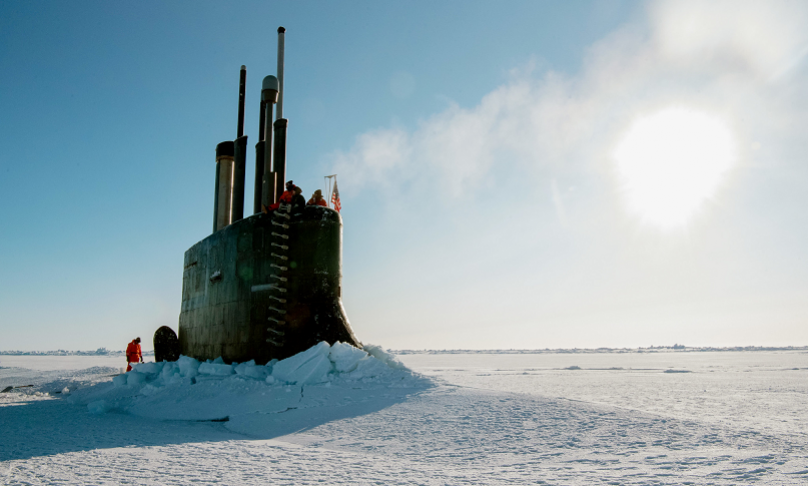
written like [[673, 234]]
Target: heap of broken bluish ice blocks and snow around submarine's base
[[190, 390]]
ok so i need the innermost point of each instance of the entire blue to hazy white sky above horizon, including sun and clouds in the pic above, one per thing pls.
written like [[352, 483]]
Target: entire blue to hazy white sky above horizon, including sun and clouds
[[513, 175]]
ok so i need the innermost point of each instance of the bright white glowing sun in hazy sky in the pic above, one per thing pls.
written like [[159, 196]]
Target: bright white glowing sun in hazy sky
[[670, 163]]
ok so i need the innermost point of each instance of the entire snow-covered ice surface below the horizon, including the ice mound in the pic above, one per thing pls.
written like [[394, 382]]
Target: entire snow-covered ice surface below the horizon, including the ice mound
[[340, 415]]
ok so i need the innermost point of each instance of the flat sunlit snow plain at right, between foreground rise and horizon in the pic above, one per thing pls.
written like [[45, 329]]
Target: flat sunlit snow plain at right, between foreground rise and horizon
[[762, 391]]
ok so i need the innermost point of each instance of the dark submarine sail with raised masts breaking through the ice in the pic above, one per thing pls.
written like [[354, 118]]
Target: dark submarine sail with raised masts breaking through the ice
[[269, 285]]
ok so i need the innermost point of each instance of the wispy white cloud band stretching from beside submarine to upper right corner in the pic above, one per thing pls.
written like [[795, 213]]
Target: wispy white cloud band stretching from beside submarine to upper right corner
[[717, 56]]
